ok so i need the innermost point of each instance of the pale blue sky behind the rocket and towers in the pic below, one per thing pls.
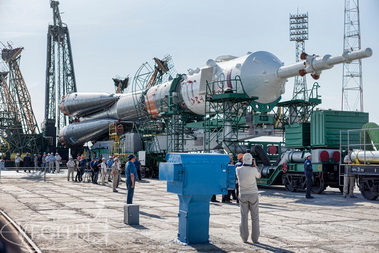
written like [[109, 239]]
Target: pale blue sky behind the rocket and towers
[[113, 38]]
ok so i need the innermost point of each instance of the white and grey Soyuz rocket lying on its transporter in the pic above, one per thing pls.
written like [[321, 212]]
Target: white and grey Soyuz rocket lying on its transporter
[[261, 73]]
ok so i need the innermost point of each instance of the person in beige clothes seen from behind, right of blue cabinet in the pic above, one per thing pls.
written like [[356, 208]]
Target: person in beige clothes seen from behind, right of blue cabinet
[[248, 197]]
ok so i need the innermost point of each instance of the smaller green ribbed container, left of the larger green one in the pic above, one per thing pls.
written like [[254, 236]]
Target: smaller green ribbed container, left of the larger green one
[[298, 135]]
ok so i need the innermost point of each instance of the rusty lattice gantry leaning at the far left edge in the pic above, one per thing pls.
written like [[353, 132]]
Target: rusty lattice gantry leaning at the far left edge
[[19, 128]]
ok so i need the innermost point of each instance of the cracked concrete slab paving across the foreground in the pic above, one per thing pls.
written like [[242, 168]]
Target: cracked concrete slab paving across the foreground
[[63, 216]]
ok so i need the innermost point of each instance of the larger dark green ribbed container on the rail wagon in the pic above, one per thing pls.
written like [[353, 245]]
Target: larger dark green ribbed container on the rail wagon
[[326, 126]]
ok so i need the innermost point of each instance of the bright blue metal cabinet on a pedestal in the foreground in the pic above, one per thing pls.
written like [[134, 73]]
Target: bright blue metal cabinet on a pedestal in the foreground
[[195, 178]]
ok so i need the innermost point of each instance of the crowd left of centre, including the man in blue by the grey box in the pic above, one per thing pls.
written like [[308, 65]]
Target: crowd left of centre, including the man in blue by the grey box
[[106, 170]]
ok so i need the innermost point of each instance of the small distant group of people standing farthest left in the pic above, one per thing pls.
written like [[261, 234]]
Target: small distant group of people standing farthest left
[[38, 162]]
